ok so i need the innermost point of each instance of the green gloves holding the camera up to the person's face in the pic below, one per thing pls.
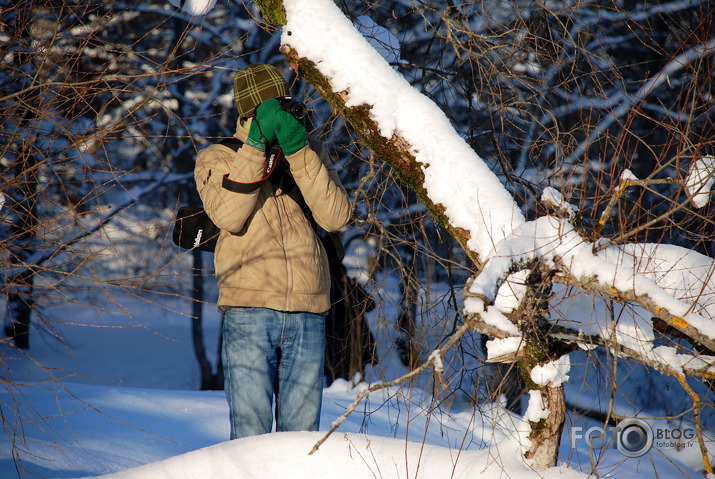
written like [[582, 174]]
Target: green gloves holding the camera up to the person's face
[[277, 124]]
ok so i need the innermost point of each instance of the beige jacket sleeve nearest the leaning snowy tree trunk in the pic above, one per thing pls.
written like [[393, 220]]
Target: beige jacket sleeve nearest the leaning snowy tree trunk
[[321, 187]]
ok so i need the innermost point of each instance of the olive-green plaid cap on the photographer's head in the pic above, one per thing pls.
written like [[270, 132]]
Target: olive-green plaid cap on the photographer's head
[[254, 85]]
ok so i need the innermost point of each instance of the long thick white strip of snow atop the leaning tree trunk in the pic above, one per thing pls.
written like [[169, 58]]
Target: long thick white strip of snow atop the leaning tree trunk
[[455, 176]]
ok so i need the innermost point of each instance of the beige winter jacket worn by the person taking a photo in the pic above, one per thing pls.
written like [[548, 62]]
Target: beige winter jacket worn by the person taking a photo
[[268, 254]]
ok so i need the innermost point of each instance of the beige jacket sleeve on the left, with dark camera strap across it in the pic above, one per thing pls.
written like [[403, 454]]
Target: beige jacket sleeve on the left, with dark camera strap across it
[[228, 209]]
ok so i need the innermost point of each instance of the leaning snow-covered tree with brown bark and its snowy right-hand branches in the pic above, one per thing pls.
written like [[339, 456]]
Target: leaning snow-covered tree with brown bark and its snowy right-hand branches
[[671, 283]]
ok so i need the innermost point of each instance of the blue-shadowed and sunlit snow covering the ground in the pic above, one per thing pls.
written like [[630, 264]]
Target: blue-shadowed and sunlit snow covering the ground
[[127, 406]]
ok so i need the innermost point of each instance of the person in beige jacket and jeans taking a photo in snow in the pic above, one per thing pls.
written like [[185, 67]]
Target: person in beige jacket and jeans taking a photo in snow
[[271, 268]]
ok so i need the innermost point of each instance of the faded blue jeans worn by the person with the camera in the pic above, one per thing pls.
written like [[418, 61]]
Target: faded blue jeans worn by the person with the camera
[[267, 353]]
